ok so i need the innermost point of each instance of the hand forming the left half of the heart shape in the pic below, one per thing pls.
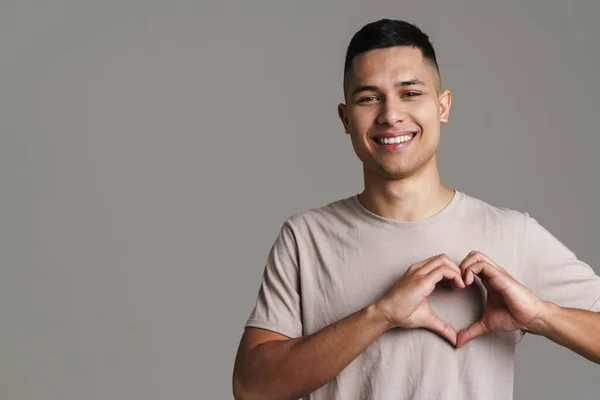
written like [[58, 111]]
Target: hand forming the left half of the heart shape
[[406, 305]]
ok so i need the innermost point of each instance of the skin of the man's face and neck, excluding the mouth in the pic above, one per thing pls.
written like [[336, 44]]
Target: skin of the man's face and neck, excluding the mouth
[[403, 186]]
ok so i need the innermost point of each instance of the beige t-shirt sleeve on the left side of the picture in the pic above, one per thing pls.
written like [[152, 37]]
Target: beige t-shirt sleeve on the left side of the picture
[[278, 303]]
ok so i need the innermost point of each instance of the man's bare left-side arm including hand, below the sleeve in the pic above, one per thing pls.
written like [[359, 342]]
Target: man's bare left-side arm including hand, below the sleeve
[[270, 366]]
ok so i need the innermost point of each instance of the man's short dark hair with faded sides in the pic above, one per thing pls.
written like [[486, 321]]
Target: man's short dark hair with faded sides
[[387, 33]]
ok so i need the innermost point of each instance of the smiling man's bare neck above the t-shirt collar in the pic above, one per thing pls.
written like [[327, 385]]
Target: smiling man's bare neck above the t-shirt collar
[[412, 198]]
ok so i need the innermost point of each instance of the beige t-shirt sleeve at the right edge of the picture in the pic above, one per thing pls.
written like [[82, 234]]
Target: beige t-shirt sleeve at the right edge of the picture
[[555, 274]]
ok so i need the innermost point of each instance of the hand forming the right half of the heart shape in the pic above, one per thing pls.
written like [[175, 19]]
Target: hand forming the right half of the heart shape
[[510, 306]]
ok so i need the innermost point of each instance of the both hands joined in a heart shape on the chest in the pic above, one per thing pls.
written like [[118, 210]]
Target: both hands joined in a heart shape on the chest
[[510, 306]]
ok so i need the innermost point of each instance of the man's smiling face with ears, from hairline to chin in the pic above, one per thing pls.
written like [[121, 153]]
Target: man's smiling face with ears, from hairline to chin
[[394, 92]]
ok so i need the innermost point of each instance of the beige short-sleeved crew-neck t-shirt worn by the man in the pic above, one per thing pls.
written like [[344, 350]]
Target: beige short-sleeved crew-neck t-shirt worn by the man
[[329, 262]]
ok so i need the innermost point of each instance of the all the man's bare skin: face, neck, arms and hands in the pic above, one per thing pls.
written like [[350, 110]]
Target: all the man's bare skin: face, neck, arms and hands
[[404, 186]]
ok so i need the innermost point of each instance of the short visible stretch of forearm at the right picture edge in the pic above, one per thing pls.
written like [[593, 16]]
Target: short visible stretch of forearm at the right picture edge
[[576, 329]]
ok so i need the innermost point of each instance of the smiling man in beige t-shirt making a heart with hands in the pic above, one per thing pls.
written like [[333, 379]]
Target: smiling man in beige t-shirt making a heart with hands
[[408, 290]]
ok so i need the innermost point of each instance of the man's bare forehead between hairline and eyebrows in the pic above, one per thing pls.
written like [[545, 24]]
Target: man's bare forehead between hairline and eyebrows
[[386, 66]]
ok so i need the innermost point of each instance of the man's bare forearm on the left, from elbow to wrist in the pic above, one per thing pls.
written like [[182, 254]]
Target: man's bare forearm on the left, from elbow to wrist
[[290, 369]]
